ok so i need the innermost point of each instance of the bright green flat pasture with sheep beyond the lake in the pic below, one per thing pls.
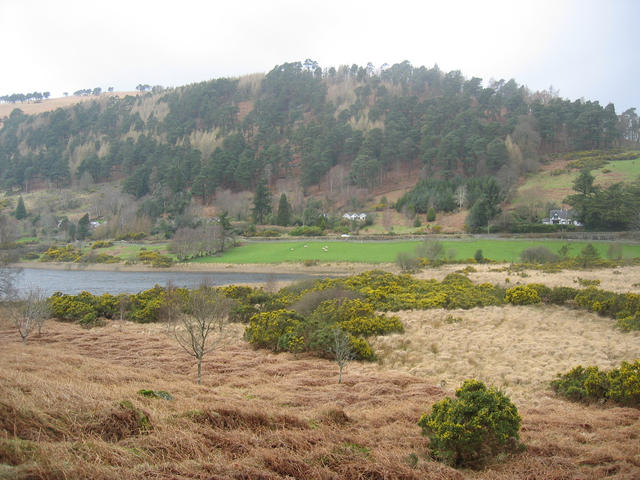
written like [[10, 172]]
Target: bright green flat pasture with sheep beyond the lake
[[385, 252]]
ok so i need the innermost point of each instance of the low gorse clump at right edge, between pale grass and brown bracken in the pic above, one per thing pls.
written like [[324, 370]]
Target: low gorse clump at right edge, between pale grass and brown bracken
[[590, 384]]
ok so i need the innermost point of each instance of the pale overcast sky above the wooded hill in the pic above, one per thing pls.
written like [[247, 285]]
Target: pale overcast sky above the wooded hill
[[584, 48]]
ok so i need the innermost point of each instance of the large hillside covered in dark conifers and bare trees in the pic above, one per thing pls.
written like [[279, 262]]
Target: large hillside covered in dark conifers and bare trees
[[351, 125]]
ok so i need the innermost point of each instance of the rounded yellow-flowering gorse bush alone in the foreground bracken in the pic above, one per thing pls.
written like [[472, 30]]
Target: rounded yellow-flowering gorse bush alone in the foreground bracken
[[471, 429]]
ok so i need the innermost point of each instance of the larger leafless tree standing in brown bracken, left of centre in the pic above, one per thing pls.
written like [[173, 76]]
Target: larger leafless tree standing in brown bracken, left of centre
[[201, 326]]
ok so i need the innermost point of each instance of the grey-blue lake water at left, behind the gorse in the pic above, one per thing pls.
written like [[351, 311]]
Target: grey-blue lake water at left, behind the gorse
[[75, 281]]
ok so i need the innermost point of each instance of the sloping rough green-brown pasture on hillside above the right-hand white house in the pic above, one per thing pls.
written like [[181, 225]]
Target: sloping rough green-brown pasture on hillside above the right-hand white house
[[546, 187]]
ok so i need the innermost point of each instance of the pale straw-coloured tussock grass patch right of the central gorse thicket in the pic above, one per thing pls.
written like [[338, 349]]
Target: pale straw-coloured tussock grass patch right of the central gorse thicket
[[519, 349]]
